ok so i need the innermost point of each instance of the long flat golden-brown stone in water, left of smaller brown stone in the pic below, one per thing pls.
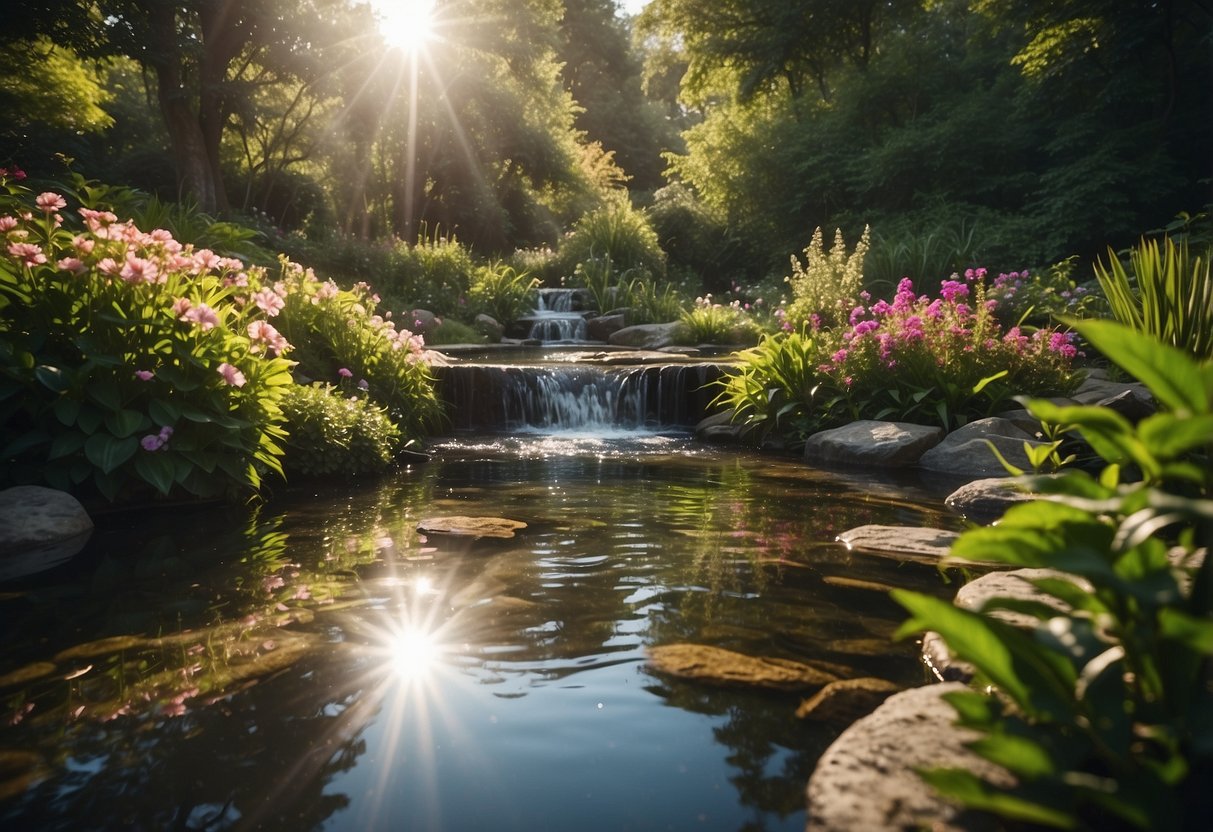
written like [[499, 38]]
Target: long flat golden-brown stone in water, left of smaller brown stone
[[725, 668]]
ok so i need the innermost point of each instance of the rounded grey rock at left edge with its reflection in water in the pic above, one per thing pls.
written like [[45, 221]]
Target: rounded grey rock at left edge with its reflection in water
[[39, 529]]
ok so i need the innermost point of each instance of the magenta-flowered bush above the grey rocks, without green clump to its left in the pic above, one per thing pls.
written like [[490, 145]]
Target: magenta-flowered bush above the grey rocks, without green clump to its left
[[942, 360]]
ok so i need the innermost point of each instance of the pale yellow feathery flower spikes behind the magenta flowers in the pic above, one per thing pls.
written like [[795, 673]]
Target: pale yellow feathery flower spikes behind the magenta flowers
[[828, 286]]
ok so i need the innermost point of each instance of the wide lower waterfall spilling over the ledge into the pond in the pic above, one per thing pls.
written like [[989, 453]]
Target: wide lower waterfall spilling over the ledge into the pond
[[578, 398]]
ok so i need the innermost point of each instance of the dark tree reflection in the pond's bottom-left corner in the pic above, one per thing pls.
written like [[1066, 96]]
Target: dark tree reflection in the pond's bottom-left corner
[[257, 757]]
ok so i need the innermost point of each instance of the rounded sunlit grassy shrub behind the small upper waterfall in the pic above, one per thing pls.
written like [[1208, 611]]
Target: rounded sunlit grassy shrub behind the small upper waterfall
[[618, 232]]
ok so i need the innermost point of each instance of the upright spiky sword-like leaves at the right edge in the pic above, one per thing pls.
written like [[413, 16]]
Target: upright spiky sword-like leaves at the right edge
[[1170, 294]]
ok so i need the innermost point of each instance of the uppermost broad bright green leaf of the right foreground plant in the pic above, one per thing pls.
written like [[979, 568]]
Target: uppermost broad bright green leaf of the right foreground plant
[[1171, 374]]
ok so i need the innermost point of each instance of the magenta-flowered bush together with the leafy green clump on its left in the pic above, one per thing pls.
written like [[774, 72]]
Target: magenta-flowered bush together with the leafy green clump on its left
[[943, 361]]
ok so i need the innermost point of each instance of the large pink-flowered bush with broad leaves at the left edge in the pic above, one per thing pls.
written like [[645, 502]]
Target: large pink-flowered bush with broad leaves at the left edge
[[129, 358]]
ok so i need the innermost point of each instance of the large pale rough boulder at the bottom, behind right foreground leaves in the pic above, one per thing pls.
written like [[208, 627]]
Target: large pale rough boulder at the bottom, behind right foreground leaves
[[868, 780]]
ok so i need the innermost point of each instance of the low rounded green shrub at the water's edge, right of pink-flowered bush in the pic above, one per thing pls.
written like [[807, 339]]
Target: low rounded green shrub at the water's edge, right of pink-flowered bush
[[334, 434]]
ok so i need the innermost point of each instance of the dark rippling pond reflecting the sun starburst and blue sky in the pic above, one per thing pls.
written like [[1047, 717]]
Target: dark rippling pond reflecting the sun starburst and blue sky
[[320, 665]]
